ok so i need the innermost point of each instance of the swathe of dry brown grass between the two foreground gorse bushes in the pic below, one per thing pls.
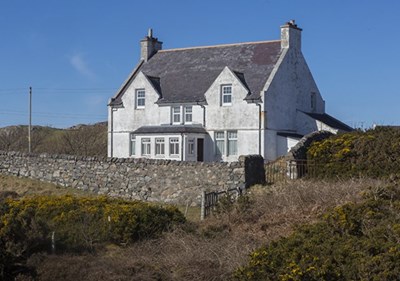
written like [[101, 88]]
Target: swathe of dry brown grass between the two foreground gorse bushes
[[212, 249]]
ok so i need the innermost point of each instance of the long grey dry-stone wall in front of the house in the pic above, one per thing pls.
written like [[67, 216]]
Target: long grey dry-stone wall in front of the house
[[144, 179]]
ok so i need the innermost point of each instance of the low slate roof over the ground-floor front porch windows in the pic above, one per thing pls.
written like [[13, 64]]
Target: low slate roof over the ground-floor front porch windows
[[171, 129]]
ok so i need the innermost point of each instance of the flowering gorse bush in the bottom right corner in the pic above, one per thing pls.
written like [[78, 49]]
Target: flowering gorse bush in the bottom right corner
[[353, 242]]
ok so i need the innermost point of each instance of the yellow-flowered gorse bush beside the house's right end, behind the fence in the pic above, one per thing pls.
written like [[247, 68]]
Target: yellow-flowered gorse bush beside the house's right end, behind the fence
[[374, 153]]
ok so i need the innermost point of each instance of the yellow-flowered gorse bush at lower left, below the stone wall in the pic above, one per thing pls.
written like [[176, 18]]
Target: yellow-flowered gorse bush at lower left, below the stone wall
[[76, 224]]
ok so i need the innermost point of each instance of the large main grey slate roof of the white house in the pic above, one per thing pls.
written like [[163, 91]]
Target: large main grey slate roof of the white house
[[184, 75]]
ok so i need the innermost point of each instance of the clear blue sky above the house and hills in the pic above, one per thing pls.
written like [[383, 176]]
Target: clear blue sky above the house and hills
[[76, 54]]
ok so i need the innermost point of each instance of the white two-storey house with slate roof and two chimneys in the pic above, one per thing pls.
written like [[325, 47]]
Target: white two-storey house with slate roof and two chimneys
[[215, 103]]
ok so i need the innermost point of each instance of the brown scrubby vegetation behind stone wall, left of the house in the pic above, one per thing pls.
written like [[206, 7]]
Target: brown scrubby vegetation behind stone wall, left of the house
[[84, 140]]
